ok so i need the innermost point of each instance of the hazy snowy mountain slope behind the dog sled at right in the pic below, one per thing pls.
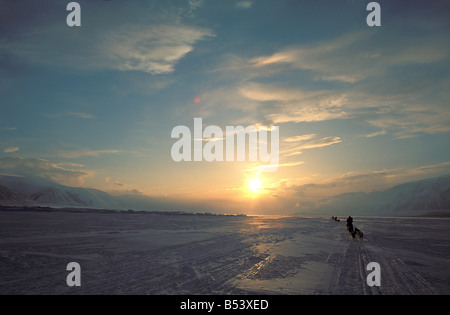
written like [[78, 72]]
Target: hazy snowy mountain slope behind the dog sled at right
[[414, 198]]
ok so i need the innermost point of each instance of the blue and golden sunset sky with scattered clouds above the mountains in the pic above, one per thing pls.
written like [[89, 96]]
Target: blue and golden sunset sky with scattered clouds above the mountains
[[358, 108]]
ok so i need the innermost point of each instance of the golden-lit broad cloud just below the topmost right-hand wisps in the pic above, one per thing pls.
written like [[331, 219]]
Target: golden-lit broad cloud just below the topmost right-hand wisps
[[394, 104]]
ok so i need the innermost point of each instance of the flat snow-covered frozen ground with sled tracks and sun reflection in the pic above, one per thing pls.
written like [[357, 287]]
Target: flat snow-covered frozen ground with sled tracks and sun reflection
[[123, 253]]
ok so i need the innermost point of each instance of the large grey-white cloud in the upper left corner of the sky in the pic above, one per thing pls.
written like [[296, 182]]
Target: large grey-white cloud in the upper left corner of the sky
[[153, 42]]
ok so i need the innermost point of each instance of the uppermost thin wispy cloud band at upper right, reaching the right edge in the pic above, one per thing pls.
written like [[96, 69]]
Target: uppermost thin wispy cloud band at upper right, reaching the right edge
[[352, 57]]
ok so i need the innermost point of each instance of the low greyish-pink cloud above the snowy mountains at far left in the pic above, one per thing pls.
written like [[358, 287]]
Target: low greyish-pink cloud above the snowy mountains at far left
[[64, 173]]
